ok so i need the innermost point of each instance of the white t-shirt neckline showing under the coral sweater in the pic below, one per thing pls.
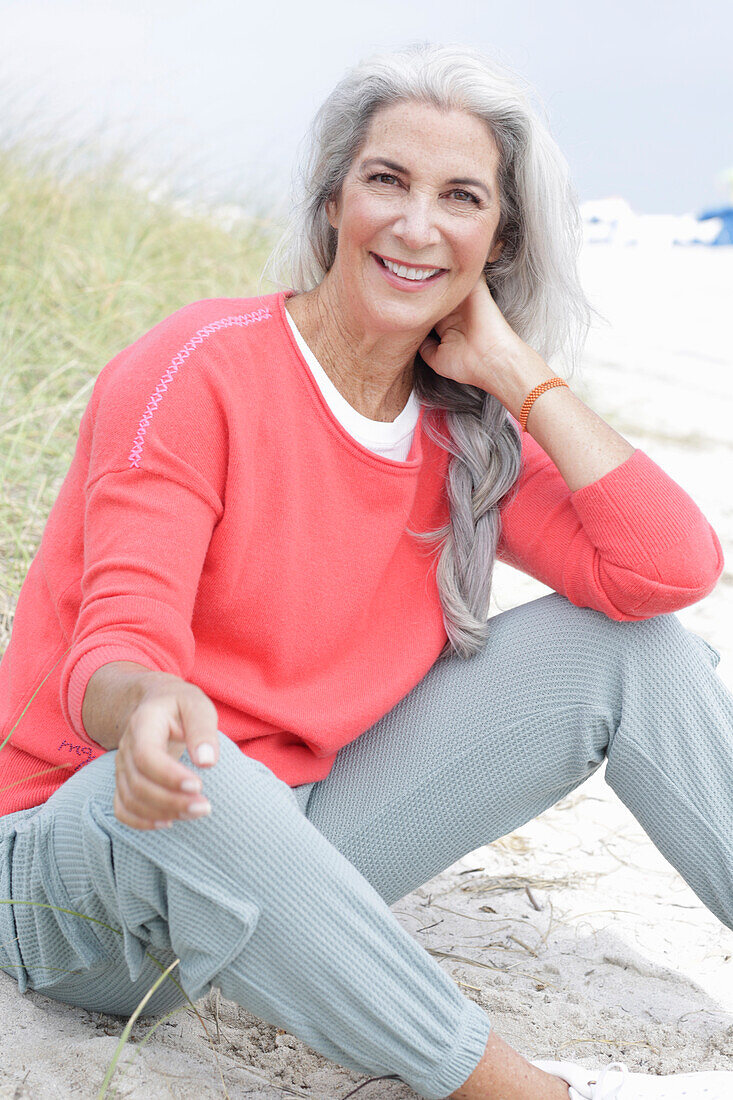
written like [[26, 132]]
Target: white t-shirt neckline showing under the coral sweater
[[392, 441]]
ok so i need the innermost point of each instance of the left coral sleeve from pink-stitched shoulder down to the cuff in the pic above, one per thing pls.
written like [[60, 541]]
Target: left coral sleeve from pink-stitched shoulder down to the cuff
[[152, 499]]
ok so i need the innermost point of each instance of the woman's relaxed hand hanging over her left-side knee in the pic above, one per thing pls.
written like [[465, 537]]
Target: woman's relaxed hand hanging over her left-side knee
[[171, 717]]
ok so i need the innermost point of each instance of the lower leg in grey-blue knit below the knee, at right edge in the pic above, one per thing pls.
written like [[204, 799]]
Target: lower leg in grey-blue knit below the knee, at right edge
[[671, 761]]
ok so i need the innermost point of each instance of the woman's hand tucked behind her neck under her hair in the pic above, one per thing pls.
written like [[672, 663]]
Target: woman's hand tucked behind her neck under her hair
[[478, 348]]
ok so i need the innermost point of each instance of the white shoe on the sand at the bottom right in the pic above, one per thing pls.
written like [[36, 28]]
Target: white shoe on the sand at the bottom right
[[616, 1082]]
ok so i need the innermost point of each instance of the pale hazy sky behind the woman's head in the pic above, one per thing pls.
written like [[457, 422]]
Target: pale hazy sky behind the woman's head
[[217, 96]]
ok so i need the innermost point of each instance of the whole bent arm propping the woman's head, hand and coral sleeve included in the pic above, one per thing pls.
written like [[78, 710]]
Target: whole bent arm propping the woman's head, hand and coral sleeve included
[[593, 518]]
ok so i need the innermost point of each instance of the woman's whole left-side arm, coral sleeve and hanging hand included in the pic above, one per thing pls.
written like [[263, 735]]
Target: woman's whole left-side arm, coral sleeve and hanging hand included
[[149, 515]]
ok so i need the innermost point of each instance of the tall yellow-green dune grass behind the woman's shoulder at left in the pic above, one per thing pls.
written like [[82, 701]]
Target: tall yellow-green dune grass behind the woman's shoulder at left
[[90, 261]]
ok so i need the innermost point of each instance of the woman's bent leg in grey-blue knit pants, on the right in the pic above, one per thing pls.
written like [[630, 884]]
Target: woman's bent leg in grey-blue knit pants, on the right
[[478, 749]]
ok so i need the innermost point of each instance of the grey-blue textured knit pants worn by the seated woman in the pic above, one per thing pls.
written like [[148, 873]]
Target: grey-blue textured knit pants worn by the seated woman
[[281, 897]]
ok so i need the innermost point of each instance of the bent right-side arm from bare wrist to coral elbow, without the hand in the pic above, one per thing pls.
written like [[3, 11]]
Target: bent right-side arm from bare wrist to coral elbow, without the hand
[[643, 548]]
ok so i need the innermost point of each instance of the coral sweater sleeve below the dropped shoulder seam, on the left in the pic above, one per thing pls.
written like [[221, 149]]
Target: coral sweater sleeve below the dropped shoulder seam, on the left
[[146, 541]]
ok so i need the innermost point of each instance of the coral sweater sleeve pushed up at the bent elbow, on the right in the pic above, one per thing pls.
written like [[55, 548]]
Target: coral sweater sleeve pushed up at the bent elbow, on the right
[[632, 545]]
